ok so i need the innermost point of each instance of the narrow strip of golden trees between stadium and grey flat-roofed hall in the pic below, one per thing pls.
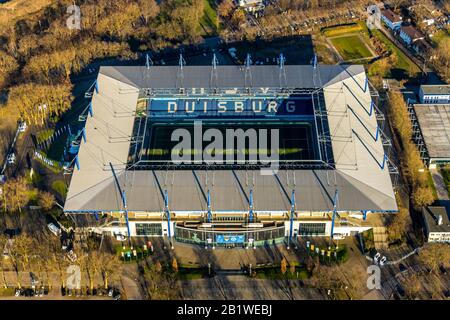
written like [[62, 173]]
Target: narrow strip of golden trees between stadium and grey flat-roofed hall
[[412, 165]]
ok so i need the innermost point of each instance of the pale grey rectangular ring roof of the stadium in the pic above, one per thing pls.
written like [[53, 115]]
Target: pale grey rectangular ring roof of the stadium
[[363, 183]]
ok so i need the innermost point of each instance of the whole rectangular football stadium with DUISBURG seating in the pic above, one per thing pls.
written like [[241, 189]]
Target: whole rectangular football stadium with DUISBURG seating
[[331, 173]]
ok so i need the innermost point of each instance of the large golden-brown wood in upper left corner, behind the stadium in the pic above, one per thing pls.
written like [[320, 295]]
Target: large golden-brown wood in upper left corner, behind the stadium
[[47, 51]]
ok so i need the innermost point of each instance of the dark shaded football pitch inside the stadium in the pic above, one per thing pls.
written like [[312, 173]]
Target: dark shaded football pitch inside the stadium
[[296, 140]]
